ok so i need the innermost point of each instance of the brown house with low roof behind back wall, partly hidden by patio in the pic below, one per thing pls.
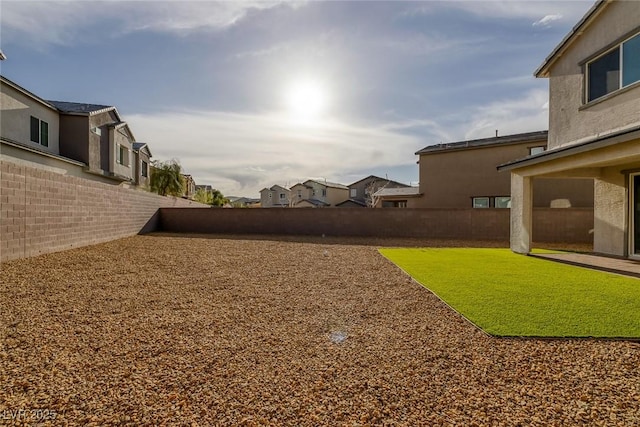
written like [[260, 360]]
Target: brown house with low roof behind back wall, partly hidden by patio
[[463, 175]]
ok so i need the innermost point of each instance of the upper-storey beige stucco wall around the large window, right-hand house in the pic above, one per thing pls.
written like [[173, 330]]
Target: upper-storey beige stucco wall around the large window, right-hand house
[[567, 122]]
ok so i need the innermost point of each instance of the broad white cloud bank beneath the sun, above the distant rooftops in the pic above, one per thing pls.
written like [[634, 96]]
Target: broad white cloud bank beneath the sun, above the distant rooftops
[[242, 153]]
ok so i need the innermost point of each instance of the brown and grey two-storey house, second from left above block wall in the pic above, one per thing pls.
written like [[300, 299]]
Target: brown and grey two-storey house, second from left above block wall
[[96, 135]]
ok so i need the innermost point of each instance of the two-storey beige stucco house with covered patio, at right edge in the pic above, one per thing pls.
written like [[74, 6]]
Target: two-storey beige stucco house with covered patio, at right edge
[[594, 128]]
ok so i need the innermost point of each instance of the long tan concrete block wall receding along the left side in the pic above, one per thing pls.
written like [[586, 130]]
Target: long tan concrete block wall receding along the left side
[[42, 210]]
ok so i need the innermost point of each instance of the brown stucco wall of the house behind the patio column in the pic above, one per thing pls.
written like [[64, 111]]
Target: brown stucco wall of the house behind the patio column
[[450, 179]]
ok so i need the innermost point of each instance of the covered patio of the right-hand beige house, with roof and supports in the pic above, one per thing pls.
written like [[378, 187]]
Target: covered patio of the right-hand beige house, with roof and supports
[[613, 162]]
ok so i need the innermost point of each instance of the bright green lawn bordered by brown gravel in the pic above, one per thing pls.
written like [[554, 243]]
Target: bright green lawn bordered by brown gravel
[[514, 295]]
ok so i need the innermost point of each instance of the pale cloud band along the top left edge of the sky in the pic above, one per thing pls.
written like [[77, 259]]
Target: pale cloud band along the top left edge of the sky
[[66, 22]]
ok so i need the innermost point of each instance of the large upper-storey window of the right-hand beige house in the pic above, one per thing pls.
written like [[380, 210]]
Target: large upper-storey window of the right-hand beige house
[[615, 69]]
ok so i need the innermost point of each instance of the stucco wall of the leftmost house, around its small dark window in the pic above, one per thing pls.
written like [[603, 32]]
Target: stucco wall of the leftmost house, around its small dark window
[[15, 119]]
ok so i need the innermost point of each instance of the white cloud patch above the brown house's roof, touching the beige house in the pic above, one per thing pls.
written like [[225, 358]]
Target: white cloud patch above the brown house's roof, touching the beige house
[[525, 114]]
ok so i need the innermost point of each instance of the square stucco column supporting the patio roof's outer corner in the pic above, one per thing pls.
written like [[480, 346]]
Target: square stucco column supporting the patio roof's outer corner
[[521, 213]]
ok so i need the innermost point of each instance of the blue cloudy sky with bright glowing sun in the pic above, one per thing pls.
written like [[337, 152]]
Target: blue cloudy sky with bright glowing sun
[[248, 94]]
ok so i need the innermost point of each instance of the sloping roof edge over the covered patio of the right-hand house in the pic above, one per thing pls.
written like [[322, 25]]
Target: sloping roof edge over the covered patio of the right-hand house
[[596, 142]]
